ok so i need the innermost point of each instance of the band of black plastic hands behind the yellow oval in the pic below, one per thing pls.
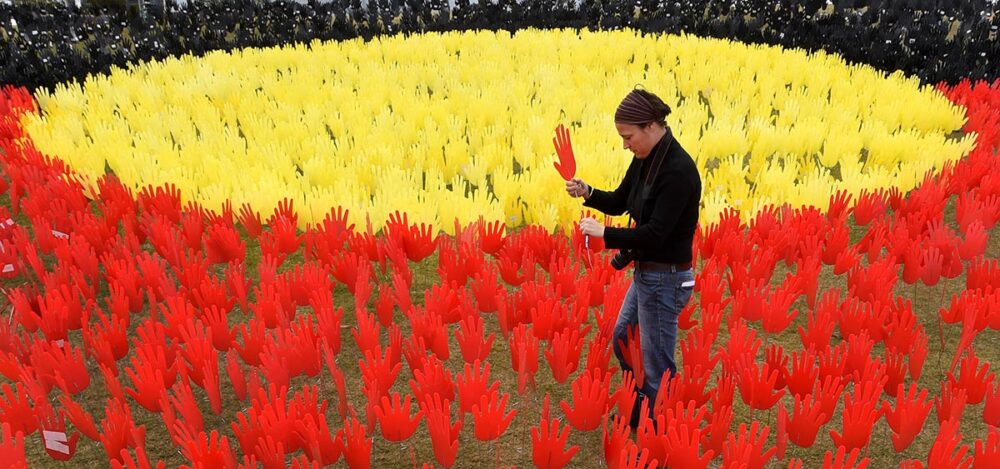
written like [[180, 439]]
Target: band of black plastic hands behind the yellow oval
[[41, 45]]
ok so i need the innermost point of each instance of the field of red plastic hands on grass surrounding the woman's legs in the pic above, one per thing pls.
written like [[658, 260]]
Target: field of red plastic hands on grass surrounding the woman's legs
[[220, 332]]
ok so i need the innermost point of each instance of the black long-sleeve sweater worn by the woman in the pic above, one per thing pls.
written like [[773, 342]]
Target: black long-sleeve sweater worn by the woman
[[669, 214]]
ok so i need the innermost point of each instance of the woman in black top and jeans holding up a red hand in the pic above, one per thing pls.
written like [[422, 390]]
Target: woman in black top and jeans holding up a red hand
[[661, 191]]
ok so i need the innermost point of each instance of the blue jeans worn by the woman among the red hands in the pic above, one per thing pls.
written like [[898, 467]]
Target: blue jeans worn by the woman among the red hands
[[654, 301]]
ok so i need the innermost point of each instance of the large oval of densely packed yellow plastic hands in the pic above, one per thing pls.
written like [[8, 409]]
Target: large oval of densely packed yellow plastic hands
[[458, 125]]
